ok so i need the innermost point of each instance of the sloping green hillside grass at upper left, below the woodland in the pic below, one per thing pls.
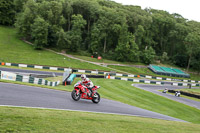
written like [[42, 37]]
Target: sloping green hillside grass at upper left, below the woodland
[[14, 50]]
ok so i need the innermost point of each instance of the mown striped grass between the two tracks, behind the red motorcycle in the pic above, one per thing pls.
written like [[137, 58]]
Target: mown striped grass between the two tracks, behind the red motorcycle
[[122, 91]]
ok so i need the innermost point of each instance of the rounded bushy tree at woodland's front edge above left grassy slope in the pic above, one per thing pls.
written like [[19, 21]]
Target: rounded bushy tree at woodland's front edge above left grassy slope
[[39, 32]]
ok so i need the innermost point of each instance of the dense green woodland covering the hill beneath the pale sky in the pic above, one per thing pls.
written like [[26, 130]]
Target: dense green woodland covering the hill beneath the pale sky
[[103, 27]]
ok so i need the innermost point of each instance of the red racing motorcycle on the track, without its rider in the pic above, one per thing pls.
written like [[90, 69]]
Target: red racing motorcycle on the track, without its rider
[[81, 91]]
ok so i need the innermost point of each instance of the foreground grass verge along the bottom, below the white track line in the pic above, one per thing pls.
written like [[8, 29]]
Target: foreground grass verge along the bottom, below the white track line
[[21, 120]]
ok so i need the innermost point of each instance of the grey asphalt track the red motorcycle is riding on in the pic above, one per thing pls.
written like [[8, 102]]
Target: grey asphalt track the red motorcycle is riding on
[[28, 96]]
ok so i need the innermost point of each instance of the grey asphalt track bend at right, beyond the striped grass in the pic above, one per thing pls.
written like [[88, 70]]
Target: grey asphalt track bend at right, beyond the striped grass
[[155, 88]]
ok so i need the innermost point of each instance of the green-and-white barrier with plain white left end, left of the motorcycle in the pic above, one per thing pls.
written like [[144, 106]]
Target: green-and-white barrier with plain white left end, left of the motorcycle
[[27, 79]]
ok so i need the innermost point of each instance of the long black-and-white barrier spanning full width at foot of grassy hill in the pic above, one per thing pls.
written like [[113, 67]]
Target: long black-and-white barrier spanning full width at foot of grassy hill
[[97, 72]]
